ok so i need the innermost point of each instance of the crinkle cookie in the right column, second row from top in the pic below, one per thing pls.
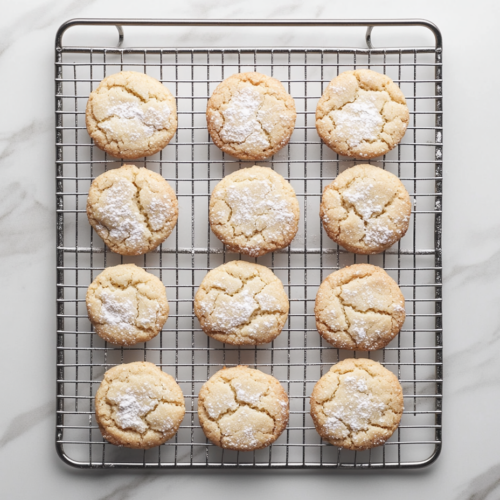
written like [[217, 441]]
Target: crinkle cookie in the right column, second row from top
[[365, 209]]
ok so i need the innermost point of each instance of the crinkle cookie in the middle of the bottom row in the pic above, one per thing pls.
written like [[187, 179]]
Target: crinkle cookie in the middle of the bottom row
[[242, 409]]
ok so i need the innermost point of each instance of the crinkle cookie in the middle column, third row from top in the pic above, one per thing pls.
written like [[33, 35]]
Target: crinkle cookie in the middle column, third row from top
[[241, 303]]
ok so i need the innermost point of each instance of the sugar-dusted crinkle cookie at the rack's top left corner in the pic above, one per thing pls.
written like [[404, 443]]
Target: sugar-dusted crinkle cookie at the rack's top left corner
[[131, 115]]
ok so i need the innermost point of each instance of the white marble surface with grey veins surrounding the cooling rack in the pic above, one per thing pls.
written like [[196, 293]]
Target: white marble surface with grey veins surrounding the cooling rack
[[469, 466]]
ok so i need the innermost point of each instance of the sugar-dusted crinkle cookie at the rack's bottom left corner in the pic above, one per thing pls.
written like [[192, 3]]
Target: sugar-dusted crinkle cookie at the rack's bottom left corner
[[138, 405]]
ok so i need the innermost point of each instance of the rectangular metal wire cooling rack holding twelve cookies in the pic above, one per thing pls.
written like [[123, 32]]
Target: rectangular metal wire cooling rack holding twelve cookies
[[193, 165]]
